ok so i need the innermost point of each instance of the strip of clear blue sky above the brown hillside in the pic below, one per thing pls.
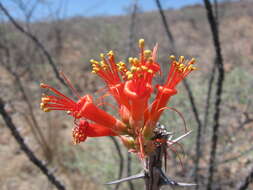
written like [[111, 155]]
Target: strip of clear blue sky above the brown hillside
[[70, 8]]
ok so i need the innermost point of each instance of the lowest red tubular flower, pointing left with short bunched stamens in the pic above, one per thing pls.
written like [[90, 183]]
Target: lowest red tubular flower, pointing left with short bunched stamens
[[85, 129]]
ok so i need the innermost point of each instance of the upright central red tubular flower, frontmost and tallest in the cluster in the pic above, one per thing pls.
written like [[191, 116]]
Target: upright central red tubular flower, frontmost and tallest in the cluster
[[138, 88]]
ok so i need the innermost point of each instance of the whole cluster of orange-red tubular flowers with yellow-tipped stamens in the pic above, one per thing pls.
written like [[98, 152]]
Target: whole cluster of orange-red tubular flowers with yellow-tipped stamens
[[132, 88]]
